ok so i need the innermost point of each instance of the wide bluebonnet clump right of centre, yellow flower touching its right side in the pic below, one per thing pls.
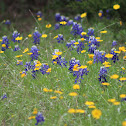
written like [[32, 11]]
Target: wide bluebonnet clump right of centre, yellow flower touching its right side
[[99, 56]]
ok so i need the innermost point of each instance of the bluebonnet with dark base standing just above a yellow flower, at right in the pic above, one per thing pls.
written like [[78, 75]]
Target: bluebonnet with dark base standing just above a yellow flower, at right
[[102, 74]]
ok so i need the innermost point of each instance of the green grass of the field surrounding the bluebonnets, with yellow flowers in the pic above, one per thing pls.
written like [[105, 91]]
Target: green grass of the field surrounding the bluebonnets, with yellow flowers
[[25, 93]]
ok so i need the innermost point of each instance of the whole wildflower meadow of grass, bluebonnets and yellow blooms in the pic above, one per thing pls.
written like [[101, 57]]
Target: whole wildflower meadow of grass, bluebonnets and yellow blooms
[[66, 71]]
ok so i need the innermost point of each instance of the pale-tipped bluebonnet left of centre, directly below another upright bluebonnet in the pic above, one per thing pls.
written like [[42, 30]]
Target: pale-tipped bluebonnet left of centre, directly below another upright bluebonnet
[[34, 51]]
